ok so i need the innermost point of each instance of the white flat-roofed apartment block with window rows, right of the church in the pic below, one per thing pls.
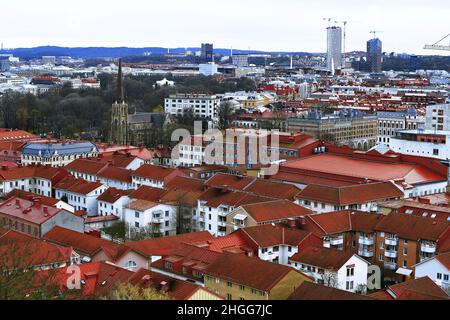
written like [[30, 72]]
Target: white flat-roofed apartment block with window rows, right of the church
[[203, 105]]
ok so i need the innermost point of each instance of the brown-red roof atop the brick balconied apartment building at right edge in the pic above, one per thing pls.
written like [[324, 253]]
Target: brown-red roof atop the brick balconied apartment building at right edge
[[412, 227]]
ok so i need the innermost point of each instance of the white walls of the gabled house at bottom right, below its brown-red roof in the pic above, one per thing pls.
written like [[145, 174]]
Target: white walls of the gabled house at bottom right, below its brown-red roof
[[349, 277]]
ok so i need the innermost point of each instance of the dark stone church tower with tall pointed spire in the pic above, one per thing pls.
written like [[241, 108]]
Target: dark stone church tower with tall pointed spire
[[119, 113]]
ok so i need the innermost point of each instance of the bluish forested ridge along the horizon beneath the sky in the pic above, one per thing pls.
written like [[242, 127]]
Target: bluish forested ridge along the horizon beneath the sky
[[115, 52]]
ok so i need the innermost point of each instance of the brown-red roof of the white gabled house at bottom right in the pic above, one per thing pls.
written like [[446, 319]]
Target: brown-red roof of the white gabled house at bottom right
[[329, 259]]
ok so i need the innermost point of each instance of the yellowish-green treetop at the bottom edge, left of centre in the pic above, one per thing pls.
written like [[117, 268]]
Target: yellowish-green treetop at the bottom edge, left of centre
[[127, 291]]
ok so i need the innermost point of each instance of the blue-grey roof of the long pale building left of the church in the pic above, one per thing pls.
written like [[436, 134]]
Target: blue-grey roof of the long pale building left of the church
[[48, 150]]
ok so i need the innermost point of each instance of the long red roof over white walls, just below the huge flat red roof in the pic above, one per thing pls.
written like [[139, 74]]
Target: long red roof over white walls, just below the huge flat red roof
[[356, 194]]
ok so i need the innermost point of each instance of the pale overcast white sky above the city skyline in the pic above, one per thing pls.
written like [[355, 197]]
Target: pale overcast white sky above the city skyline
[[280, 25]]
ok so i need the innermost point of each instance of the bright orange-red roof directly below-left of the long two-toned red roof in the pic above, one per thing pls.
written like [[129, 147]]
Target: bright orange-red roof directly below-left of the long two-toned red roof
[[274, 210]]
